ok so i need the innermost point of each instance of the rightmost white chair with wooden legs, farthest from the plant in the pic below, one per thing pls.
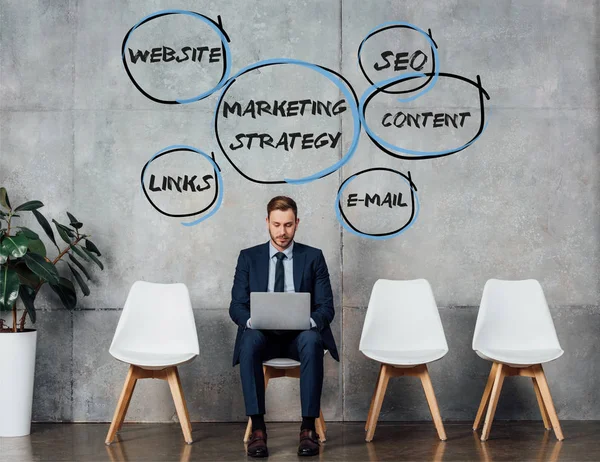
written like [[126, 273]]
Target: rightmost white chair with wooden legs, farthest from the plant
[[515, 331]]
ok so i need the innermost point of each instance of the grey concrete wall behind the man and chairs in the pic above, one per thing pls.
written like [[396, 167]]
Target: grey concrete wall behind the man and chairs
[[521, 202]]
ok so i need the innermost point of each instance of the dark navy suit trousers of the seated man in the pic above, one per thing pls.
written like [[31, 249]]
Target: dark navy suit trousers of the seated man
[[305, 346]]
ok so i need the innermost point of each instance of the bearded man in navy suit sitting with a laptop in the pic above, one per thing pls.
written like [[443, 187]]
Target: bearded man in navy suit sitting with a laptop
[[277, 266]]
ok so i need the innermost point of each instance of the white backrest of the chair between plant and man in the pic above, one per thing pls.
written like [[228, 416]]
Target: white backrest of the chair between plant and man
[[157, 318]]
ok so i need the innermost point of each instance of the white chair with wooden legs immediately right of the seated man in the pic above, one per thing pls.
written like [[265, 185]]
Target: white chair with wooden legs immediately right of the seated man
[[403, 331]]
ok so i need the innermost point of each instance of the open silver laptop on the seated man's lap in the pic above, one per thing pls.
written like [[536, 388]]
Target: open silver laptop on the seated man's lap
[[280, 310]]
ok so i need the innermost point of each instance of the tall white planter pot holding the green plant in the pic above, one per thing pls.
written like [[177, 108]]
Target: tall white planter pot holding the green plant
[[17, 368]]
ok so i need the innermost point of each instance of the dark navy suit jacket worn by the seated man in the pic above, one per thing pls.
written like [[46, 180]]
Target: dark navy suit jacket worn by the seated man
[[310, 275]]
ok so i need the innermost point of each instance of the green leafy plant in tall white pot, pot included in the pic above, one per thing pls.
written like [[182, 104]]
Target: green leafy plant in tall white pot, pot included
[[24, 268]]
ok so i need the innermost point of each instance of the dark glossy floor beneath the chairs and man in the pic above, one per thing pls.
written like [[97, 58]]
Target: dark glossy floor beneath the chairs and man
[[522, 441]]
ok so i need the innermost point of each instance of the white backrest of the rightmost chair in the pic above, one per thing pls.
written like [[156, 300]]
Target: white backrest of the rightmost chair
[[514, 315]]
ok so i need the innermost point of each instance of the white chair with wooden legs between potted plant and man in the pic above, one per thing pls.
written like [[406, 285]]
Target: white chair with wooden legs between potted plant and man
[[155, 334]]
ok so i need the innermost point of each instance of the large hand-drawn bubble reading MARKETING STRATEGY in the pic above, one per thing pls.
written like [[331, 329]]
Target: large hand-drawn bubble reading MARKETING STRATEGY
[[278, 121]]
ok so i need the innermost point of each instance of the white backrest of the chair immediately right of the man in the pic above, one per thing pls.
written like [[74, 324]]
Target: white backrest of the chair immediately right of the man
[[402, 315]]
